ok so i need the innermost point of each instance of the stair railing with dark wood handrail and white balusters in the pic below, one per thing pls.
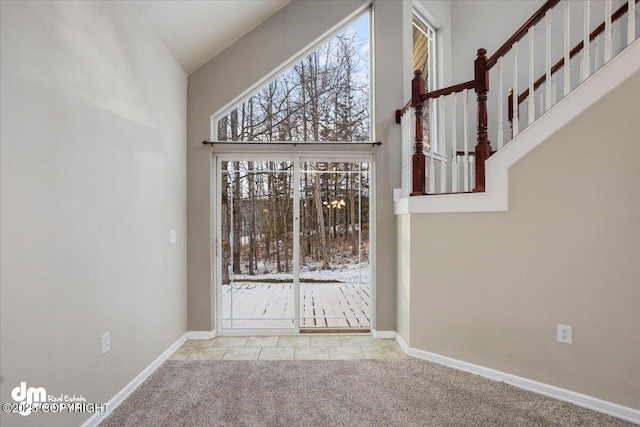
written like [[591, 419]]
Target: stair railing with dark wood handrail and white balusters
[[450, 170]]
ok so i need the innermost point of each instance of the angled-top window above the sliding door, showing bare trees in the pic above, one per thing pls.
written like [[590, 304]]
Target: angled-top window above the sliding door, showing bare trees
[[323, 97]]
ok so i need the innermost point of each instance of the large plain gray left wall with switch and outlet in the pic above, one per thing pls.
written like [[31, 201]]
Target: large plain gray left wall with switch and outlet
[[93, 178]]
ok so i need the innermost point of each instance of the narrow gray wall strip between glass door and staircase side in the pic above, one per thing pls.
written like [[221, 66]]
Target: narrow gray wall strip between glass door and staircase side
[[392, 18]]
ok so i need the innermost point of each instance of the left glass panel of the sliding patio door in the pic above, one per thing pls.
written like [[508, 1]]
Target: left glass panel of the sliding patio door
[[257, 288]]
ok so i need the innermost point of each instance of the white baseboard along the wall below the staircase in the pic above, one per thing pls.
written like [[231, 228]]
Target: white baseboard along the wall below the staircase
[[589, 402]]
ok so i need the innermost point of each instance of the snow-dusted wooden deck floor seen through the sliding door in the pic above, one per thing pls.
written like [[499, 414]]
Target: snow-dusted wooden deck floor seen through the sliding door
[[270, 305]]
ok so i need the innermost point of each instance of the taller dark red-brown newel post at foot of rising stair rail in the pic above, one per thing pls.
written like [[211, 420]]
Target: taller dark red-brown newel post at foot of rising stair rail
[[483, 147]]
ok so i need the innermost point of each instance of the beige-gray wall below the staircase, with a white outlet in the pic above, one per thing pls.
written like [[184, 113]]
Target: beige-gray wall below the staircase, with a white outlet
[[490, 288]]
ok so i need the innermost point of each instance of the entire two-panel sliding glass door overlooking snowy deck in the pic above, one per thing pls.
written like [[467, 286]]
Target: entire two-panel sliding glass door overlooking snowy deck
[[292, 249]]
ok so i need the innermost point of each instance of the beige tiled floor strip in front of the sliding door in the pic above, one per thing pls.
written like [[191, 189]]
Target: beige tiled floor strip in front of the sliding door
[[316, 347]]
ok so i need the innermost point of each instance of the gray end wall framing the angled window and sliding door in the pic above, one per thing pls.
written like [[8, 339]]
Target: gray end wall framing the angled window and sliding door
[[247, 62]]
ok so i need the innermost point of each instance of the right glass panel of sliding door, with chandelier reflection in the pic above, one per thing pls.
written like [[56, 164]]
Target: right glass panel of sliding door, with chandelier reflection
[[335, 286]]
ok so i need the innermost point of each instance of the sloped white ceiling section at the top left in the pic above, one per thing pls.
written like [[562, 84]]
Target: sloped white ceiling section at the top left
[[195, 31]]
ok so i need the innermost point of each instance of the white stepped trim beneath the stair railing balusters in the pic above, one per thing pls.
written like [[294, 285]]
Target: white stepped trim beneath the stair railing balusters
[[495, 199]]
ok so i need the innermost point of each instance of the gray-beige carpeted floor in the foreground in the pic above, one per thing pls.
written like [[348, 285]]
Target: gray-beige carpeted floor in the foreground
[[337, 393]]
